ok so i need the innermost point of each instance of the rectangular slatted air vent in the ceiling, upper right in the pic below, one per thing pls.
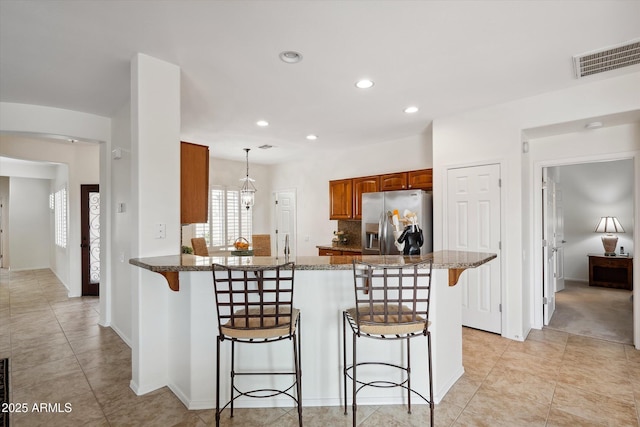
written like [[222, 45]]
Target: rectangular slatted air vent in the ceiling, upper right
[[607, 59]]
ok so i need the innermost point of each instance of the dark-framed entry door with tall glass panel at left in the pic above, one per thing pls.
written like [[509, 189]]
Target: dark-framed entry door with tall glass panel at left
[[90, 238]]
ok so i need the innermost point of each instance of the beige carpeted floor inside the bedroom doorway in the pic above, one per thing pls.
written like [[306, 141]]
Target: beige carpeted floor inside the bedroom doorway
[[594, 312]]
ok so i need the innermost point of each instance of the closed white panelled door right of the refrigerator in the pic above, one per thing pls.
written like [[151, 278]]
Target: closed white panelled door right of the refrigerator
[[474, 225]]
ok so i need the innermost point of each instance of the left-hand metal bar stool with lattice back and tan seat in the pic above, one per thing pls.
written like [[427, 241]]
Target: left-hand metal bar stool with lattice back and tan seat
[[255, 305]]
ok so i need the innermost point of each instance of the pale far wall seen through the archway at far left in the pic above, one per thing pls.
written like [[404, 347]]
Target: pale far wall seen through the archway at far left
[[29, 223]]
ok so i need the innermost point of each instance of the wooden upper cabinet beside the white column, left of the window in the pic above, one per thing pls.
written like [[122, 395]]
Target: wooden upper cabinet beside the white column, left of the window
[[194, 183]]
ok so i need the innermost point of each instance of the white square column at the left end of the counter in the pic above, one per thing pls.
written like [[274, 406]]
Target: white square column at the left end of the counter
[[155, 199]]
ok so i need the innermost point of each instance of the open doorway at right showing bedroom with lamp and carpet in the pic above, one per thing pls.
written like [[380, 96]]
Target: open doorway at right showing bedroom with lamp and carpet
[[590, 190]]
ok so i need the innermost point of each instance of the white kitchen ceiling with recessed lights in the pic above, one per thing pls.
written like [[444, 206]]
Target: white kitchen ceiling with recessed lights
[[442, 56]]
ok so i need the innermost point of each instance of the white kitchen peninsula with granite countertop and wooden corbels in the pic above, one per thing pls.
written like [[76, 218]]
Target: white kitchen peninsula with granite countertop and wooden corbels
[[177, 327]]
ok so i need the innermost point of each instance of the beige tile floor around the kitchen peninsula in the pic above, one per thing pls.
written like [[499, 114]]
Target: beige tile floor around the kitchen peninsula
[[59, 354]]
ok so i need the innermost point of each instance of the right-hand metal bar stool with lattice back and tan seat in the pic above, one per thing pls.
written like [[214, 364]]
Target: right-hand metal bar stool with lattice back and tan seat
[[392, 303]]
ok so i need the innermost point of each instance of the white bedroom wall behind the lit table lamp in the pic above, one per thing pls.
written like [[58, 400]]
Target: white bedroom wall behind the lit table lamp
[[589, 191]]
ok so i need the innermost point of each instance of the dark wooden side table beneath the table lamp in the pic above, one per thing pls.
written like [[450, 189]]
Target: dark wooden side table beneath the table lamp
[[611, 271]]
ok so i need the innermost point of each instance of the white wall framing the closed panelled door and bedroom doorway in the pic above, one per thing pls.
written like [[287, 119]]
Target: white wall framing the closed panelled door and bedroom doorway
[[494, 135]]
